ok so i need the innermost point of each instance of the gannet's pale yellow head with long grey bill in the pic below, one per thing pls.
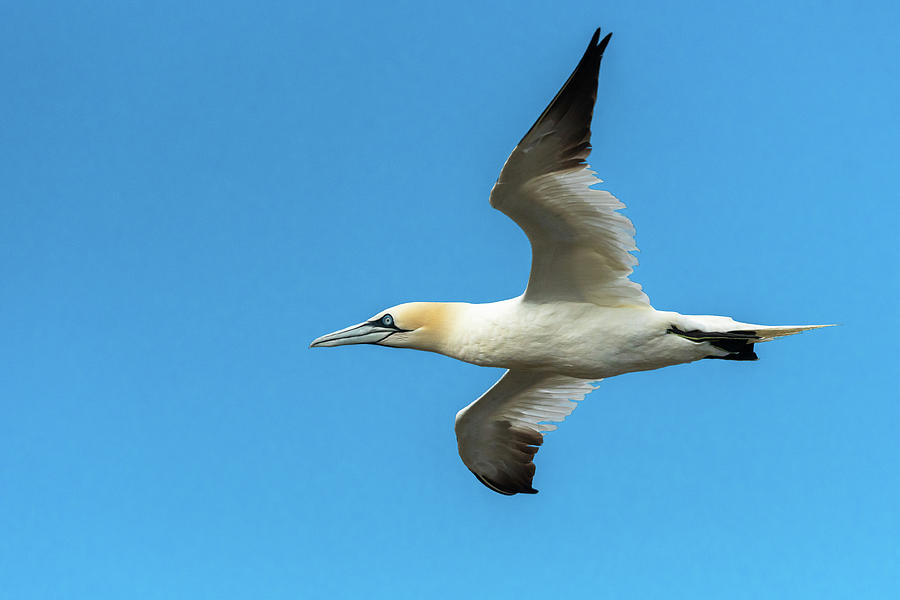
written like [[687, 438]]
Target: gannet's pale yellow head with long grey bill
[[419, 325]]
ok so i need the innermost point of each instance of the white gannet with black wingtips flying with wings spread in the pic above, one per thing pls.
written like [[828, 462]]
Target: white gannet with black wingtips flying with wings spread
[[580, 319]]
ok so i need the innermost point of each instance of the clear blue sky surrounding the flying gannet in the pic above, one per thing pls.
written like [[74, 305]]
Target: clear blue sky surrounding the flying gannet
[[191, 193]]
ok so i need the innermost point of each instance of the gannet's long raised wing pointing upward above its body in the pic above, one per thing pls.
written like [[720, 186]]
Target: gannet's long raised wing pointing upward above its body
[[580, 244]]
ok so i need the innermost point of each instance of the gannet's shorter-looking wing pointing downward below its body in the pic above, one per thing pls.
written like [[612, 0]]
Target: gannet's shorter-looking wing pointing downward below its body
[[499, 434]]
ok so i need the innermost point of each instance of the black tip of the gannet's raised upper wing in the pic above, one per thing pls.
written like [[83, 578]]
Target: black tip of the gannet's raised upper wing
[[568, 116]]
